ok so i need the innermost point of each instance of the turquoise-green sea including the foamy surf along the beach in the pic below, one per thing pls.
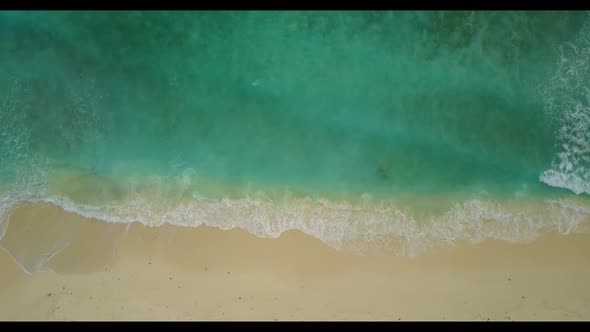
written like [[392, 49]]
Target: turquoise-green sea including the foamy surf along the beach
[[353, 127]]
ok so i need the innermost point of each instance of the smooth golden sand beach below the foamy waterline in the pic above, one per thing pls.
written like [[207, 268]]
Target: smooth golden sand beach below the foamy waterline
[[133, 272]]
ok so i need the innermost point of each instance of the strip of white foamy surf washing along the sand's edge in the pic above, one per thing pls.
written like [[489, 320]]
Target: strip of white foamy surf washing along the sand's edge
[[358, 227]]
